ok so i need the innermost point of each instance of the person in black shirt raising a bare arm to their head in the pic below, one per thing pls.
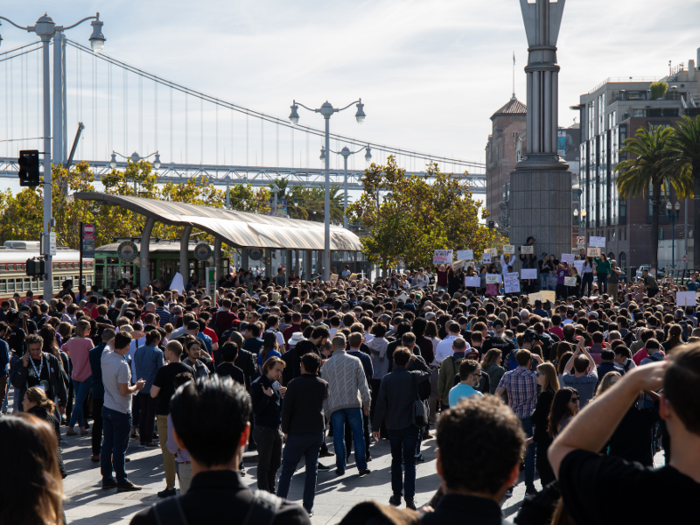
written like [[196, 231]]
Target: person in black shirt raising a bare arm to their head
[[592, 485]]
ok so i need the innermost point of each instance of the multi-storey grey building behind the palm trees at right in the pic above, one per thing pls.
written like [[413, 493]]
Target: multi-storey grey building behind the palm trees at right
[[610, 113]]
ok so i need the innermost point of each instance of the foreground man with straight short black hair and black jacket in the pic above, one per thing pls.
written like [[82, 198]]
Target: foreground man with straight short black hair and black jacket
[[215, 445]]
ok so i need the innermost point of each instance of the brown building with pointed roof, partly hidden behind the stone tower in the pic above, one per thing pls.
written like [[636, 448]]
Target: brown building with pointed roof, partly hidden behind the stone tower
[[508, 123]]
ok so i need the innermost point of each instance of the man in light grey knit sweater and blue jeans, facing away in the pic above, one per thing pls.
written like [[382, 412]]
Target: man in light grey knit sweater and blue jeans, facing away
[[349, 396]]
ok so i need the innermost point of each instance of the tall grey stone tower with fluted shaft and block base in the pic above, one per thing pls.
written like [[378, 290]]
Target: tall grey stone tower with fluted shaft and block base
[[540, 186]]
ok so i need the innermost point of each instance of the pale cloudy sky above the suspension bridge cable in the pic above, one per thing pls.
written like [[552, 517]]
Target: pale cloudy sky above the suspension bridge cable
[[429, 73]]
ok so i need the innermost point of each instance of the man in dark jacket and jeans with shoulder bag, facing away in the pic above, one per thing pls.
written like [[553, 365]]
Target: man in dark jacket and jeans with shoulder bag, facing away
[[397, 394]]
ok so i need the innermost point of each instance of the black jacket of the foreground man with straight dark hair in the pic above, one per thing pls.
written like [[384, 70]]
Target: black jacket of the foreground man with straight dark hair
[[219, 497]]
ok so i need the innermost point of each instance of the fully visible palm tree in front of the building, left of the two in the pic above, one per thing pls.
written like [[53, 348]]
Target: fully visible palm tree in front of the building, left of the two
[[649, 169]]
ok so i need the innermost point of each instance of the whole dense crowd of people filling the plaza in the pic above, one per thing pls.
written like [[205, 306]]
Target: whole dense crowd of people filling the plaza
[[580, 393]]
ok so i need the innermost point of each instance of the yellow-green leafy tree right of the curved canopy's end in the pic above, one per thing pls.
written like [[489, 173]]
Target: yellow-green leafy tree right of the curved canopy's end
[[408, 217]]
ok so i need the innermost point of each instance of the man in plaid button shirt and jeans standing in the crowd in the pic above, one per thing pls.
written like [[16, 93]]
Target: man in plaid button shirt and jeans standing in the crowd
[[521, 385]]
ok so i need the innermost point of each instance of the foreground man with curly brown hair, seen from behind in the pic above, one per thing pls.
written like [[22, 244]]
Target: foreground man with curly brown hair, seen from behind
[[476, 481]]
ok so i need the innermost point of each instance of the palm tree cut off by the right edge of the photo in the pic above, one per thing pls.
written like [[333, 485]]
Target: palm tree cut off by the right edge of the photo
[[685, 146]]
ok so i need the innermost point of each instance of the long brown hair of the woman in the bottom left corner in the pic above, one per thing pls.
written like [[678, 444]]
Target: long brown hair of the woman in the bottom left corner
[[31, 489]]
